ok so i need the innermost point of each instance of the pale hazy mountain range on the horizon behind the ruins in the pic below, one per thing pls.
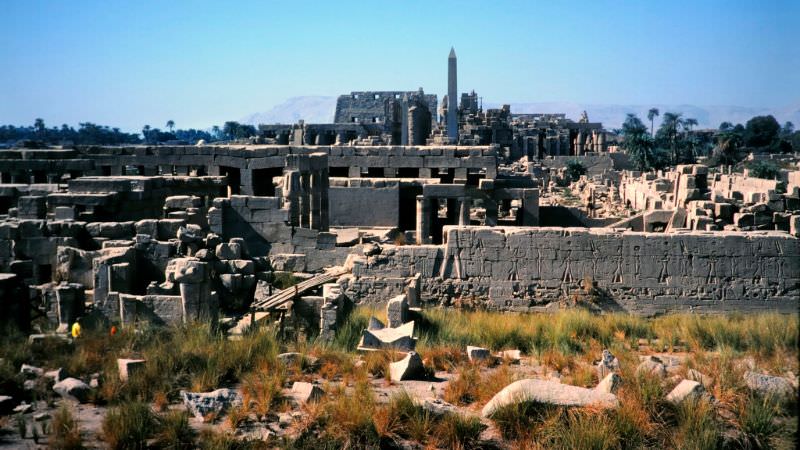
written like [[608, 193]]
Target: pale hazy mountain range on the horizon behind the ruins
[[320, 109]]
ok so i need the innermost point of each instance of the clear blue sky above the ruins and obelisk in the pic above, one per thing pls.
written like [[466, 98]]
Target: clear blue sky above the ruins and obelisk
[[128, 64]]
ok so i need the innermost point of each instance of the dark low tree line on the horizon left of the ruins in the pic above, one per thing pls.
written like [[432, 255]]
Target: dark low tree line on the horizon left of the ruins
[[89, 133]]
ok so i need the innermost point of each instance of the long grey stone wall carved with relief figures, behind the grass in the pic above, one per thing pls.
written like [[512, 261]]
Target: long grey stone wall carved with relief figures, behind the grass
[[521, 269]]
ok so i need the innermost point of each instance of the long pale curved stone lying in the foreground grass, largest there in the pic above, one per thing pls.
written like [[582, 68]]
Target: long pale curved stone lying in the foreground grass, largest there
[[549, 392]]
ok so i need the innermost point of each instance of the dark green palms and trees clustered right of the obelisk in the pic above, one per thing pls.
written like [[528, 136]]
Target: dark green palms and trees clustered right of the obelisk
[[675, 141]]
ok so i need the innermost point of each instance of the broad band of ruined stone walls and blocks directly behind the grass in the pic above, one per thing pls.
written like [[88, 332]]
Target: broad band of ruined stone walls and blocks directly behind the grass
[[173, 234]]
